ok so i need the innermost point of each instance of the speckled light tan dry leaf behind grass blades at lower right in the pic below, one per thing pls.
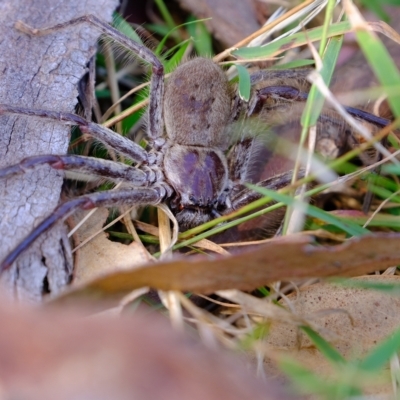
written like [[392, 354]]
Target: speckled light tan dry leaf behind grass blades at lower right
[[352, 320]]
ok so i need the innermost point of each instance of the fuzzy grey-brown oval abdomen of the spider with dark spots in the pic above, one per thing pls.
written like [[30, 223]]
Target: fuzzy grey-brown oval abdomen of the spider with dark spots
[[197, 104]]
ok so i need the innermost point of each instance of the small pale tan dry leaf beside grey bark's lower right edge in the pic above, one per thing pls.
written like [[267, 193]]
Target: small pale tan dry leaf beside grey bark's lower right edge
[[101, 256]]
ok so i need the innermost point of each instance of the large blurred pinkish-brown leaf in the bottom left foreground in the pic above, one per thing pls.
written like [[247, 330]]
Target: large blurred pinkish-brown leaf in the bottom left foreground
[[60, 355]]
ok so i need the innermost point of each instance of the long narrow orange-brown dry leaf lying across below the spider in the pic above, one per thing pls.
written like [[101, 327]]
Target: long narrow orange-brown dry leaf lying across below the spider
[[281, 259]]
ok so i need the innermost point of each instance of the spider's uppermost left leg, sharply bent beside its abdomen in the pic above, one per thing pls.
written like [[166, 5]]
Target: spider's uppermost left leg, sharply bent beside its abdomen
[[155, 123]]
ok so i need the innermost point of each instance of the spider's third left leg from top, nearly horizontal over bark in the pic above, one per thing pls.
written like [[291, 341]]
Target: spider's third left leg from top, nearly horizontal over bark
[[110, 169]]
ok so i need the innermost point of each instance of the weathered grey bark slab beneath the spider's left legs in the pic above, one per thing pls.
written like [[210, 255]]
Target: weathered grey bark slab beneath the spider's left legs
[[43, 73]]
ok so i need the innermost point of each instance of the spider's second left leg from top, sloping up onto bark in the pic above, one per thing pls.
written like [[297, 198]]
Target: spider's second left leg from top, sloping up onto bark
[[105, 135]]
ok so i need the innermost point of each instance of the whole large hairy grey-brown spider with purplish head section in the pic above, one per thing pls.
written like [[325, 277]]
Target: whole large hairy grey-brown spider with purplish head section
[[193, 165]]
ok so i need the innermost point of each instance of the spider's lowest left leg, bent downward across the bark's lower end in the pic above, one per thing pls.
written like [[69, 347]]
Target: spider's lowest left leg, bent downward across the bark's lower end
[[136, 196]]
